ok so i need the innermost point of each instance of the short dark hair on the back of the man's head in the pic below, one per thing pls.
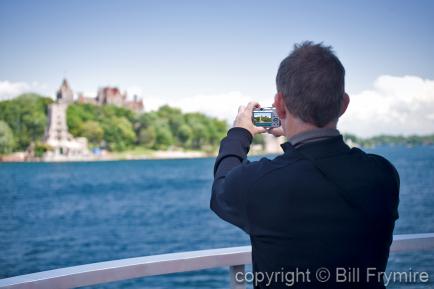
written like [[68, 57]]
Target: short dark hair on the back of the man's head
[[312, 81]]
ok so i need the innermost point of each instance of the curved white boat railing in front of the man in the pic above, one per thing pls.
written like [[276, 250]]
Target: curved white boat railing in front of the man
[[235, 258]]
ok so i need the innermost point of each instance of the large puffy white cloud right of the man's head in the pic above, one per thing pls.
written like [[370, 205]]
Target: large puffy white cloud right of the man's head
[[395, 105]]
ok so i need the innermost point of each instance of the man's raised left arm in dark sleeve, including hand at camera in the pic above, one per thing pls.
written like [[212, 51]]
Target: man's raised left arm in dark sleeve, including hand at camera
[[229, 186]]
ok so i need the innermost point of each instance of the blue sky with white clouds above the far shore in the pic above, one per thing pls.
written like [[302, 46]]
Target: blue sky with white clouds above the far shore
[[213, 56]]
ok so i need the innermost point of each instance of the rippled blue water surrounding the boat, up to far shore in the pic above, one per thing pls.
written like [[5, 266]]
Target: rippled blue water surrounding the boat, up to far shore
[[55, 215]]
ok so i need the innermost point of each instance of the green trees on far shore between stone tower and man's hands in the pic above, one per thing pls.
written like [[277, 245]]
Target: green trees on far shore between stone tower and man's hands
[[119, 129]]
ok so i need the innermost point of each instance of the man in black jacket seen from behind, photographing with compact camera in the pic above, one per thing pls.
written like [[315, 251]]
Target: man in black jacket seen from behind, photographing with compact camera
[[321, 214]]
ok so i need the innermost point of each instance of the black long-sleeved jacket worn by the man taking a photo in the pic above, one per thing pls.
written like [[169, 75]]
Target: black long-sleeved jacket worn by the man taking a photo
[[322, 205]]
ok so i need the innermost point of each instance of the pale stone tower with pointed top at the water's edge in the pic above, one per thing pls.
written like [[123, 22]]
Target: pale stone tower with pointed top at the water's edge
[[63, 145]]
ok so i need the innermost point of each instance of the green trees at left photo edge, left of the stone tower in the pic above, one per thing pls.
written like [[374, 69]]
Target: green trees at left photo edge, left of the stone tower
[[26, 115]]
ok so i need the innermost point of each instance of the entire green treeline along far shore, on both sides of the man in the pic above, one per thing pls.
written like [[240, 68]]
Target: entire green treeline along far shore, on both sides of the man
[[23, 120]]
